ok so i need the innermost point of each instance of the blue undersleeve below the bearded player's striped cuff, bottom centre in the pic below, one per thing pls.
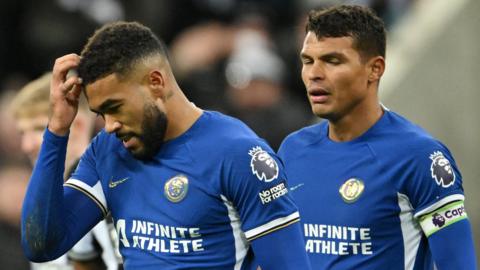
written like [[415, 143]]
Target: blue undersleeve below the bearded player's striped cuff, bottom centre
[[282, 249]]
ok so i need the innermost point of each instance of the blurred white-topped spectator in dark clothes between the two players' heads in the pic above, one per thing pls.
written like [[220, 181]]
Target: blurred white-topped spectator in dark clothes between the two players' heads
[[255, 89]]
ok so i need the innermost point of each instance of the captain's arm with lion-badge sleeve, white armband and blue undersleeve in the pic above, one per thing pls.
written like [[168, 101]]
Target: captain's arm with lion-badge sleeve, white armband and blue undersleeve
[[436, 192]]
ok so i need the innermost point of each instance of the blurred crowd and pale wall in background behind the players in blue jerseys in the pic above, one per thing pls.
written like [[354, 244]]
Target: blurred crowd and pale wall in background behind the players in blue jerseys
[[241, 57]]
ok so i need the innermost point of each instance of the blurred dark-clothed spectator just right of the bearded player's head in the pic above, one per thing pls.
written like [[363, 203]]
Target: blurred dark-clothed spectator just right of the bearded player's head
[[200, 67]]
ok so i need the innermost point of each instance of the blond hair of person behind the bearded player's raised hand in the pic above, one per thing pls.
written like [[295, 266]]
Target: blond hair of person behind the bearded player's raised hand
[[34, 99]]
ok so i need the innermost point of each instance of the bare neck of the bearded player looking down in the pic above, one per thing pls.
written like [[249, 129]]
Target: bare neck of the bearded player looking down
[[181, 116]]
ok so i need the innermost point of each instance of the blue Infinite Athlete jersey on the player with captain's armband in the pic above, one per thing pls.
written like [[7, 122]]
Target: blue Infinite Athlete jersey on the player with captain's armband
[[361, 201]]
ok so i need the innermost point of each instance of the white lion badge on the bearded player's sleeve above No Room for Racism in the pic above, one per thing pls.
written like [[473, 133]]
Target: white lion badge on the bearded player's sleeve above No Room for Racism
[[263, 165]]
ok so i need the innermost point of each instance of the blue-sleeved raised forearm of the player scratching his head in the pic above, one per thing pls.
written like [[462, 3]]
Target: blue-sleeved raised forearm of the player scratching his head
[[43, 210]]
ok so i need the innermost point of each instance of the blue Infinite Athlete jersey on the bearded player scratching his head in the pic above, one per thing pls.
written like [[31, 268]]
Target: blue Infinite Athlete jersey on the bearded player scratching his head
[[197, 203]]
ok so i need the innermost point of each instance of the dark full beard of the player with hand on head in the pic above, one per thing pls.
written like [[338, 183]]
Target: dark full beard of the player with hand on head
[[154, 127]]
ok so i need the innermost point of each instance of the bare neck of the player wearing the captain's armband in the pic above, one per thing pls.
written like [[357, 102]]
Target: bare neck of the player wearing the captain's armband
[[354, 124]]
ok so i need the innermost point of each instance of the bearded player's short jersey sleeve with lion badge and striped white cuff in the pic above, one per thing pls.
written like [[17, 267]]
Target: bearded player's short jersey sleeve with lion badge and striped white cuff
[[254, 181]]
